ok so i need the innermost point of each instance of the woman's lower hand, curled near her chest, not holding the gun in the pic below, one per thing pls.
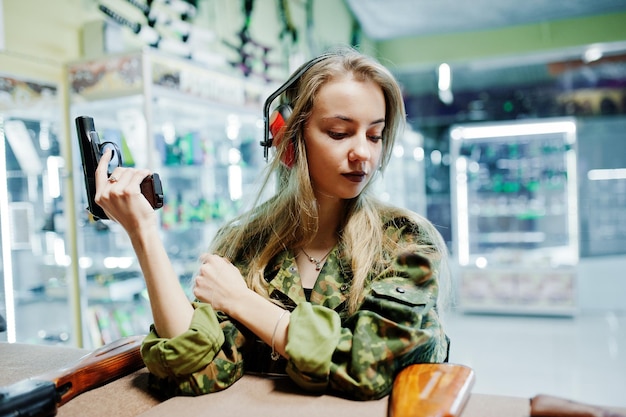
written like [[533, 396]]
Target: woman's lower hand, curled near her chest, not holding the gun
[[219, 283]]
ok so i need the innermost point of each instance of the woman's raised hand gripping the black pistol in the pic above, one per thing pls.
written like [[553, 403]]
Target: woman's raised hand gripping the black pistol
[[120, 195]]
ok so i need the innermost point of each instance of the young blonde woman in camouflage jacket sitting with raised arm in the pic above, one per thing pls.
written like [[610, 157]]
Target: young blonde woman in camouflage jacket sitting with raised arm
[[321, 282]]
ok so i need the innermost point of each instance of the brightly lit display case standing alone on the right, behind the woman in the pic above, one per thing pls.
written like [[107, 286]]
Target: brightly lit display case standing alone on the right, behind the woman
[[515, 223]]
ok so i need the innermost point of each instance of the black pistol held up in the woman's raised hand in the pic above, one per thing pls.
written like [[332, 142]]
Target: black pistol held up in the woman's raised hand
[[91, 149]]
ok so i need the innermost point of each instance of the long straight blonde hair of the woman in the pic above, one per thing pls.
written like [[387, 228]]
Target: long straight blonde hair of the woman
[[288, 220]]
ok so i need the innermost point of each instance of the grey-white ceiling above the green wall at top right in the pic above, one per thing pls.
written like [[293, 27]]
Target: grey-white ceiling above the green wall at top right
[[389, 19]]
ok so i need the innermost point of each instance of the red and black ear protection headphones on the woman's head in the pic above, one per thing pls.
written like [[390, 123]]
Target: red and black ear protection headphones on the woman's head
[[276, 122]]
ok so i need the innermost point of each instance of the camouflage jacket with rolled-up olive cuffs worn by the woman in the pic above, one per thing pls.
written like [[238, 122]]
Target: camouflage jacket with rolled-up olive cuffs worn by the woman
[[354, 355]]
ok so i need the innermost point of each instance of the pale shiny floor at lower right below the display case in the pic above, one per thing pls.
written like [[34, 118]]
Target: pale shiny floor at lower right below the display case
[[581, 358]]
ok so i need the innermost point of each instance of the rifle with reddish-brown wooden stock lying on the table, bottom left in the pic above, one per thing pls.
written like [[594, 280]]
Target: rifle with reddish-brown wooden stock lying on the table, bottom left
[[41, 395]]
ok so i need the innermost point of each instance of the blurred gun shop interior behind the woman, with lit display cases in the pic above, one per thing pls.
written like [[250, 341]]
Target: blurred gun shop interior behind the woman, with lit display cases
[[514, 149]]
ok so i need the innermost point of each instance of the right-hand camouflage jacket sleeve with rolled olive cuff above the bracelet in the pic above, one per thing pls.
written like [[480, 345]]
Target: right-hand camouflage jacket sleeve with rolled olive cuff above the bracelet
[[359, 356]]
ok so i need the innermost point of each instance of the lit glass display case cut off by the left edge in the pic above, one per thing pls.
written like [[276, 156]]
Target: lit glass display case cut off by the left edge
[[33, 217]]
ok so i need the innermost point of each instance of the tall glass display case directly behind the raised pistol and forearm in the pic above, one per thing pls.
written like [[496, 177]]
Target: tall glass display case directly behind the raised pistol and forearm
[[200, 131]]
